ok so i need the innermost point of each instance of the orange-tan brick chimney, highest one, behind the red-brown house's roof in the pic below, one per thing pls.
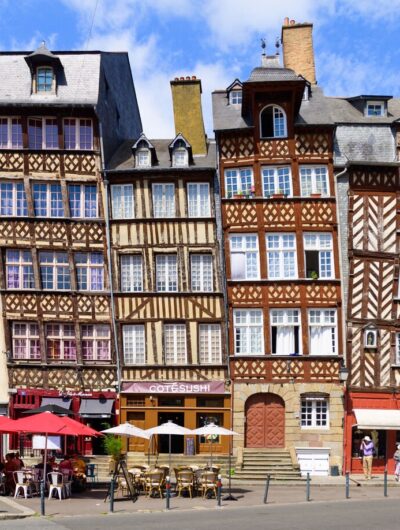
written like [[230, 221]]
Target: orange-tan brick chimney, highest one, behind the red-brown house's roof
[[298, 51]]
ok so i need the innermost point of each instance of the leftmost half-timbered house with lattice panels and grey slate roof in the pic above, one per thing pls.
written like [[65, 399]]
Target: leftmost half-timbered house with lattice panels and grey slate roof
[[57, 111]]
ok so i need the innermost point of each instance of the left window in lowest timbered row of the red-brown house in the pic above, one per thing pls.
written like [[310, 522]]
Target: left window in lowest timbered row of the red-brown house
[[248, 331]]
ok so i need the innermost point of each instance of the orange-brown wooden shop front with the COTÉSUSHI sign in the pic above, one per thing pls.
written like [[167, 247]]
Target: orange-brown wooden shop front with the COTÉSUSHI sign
[[190, 404]]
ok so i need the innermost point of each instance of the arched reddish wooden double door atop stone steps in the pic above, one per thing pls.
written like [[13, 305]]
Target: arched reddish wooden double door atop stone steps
[[265, 421]]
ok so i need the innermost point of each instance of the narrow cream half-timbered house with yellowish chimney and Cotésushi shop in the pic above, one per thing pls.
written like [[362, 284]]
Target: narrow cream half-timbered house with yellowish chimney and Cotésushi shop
[[168, 279]]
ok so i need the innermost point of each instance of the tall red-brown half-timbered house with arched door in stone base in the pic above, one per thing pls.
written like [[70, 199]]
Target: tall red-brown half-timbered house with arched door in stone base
[[275, 154]]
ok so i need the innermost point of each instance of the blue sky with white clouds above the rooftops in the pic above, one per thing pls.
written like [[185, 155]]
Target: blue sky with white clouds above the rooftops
[[355, 42]]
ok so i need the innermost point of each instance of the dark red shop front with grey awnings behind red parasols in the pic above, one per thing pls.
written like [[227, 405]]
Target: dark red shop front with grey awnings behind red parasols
[[95, 409]]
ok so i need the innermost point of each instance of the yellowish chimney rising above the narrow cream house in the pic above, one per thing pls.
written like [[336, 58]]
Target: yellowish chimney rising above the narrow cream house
[[188, 114]]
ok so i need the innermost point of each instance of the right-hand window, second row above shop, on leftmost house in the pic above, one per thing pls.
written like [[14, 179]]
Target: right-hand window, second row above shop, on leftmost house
[[90, 271]]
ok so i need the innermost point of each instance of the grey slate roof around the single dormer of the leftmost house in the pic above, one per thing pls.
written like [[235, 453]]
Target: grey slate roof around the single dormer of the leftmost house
[[77, 81]]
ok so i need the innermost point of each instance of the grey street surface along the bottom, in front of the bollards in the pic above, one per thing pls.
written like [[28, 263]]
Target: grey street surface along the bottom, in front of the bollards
[[352, 514]]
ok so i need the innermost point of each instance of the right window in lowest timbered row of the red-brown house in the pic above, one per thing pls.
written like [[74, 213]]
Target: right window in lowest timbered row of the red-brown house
[[322, 331]]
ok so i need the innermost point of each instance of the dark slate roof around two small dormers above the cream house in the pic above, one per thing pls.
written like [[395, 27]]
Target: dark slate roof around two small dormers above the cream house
[[123, 160]]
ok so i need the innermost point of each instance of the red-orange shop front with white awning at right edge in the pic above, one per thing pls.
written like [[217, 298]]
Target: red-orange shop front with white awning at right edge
[[376, 415]]
